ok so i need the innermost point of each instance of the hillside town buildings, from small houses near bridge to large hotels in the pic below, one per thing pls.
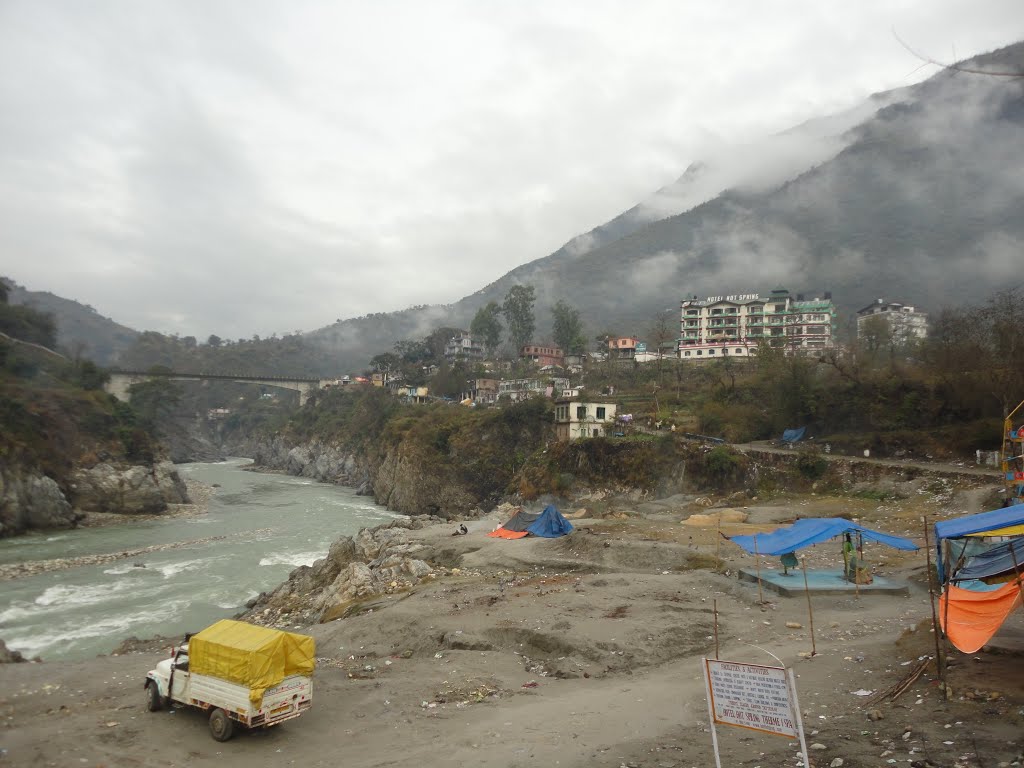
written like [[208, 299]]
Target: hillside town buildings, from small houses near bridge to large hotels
[[726, 327]]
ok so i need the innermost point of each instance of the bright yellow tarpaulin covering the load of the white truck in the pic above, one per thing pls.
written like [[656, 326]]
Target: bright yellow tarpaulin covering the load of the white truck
[[251, 656]]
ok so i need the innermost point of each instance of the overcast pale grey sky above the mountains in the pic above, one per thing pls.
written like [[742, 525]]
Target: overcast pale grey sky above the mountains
[[240, 168]]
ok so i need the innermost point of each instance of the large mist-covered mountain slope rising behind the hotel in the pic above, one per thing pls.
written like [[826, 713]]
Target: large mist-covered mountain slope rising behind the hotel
[[915, 195]]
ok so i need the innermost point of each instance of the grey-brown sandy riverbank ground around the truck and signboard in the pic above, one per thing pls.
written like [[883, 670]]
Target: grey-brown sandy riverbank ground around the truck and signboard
[[579, 652]]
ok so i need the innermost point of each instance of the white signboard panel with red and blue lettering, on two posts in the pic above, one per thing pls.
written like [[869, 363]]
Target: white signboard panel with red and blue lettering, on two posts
[[751, 697]]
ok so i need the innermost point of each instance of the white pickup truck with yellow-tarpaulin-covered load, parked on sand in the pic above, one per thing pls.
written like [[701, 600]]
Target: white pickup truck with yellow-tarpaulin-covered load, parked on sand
[[241, 674]]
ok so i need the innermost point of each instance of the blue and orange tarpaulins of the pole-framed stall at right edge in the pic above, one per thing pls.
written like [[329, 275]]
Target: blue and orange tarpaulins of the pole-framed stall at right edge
[[972, 611]]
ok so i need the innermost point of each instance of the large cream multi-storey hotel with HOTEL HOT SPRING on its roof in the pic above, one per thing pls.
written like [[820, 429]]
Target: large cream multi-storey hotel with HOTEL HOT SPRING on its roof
[[735, 326]]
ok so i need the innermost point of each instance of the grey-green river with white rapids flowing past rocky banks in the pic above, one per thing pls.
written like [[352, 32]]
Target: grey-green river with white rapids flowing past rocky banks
[[258, 530]]
